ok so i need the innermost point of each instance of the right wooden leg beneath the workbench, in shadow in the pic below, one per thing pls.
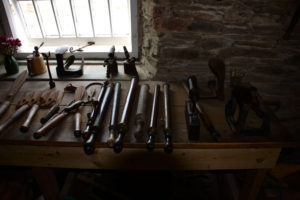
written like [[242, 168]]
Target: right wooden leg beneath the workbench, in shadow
[[252, 183]]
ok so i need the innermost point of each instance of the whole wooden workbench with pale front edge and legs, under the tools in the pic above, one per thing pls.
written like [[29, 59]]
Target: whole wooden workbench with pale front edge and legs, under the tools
[[60, 149]]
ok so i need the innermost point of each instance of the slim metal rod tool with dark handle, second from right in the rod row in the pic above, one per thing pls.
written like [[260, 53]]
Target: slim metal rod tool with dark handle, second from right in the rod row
[[152, 130]]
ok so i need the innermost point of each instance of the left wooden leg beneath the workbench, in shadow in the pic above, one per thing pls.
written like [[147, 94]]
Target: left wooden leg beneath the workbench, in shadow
[[47, 182]]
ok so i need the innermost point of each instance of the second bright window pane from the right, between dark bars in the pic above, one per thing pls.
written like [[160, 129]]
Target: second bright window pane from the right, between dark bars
[[100, 17]]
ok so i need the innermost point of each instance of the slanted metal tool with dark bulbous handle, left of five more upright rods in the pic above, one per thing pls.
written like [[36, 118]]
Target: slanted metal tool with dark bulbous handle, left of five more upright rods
[[89, 144]]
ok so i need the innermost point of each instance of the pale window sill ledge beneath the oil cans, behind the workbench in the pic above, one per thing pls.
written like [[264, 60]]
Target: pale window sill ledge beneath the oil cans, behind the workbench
[[92, 72]]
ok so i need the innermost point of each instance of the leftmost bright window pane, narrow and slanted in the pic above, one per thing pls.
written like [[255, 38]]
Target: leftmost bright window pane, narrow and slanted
[[30, 19]]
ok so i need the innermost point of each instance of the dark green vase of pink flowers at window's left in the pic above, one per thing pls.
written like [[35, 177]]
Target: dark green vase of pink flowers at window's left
[[8, 47]]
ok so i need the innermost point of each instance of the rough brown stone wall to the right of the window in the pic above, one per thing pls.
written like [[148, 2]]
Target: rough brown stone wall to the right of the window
[[179, 37]]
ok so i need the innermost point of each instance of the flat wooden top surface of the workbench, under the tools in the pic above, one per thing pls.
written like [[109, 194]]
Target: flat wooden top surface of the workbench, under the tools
[[62, 135]]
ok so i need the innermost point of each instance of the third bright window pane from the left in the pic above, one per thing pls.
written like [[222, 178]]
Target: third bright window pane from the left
[[64, 17]]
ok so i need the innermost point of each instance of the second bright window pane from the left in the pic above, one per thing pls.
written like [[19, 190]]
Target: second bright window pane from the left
[[47, 18]]
